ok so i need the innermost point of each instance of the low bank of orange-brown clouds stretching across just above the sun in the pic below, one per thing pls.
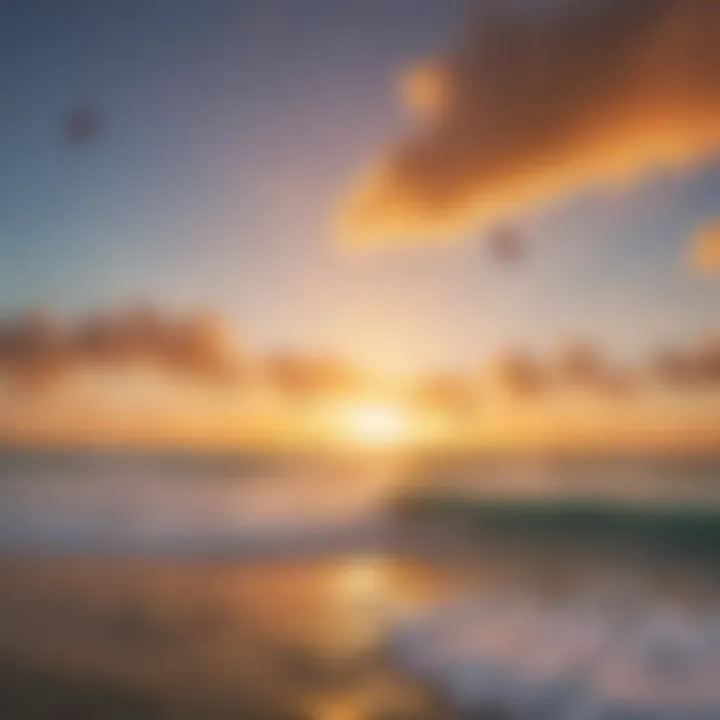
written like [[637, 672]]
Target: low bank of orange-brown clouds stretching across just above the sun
[[39, 350]]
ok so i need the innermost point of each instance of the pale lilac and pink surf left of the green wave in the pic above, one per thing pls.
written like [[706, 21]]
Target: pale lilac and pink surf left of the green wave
[[184, 503]]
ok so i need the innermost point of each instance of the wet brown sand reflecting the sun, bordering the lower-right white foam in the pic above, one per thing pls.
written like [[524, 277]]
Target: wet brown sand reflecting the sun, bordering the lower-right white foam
[[298, 637]]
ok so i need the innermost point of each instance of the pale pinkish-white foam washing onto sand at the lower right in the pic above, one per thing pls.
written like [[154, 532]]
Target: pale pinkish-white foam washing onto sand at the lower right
[[575, 660]]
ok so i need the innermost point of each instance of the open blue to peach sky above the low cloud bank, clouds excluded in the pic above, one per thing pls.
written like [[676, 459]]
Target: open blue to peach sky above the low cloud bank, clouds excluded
[[231, 130]]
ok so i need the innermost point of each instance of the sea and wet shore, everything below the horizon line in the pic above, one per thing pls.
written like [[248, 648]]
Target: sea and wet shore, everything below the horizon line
[[161, 584]]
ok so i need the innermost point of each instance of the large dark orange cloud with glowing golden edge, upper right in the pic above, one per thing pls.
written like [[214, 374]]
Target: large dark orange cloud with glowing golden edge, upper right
[[539, 100]]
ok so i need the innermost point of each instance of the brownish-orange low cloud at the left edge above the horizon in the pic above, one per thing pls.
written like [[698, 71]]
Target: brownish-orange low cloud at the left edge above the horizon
[[37, 349]]
